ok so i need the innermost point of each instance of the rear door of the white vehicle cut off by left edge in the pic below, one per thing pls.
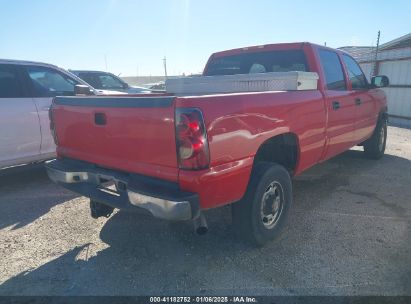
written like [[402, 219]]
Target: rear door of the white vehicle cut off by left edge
[[20, 136]]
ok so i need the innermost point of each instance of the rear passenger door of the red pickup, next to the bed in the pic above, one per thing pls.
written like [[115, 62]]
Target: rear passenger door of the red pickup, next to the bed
[[341, 109]]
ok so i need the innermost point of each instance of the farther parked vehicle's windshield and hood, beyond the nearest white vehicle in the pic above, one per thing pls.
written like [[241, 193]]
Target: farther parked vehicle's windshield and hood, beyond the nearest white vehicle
[[108, 81]]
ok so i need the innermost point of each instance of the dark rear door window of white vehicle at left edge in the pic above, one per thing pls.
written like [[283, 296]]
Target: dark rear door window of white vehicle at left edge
[[10, 86]]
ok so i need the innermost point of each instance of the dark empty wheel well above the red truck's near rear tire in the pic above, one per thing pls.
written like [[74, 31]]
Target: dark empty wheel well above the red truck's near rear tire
[[281, 149]]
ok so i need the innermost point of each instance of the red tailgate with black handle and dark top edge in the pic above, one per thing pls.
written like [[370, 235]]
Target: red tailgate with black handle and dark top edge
[[132, 134]]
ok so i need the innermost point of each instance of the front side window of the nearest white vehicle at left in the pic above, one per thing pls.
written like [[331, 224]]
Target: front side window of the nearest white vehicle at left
[[47, 82]]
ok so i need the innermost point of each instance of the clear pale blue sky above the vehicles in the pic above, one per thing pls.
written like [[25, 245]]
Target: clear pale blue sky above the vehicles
[[131, 37]]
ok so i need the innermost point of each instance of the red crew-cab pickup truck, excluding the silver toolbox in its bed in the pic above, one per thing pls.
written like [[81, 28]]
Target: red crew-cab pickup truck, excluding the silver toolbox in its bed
[[176, 156]]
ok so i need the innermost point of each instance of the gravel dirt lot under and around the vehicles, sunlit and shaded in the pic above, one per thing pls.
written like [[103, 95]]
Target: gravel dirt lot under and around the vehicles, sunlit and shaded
[[348, 233]]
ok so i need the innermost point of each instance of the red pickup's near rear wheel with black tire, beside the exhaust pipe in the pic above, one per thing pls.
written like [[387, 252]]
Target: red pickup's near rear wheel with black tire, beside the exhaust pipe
[[260, 215]]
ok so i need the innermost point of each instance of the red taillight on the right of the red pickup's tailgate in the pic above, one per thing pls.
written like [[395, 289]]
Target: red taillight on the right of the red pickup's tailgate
[[191, 138]]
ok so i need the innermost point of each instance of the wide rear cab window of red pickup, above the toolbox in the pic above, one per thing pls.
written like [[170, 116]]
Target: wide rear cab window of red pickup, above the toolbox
[[258, 62]]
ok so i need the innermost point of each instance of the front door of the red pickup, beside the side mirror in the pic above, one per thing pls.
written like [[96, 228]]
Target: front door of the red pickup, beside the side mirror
[[365, 107]]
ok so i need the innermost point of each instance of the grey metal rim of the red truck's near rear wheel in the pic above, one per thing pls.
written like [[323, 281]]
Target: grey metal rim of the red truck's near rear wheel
[[272, 205]]
